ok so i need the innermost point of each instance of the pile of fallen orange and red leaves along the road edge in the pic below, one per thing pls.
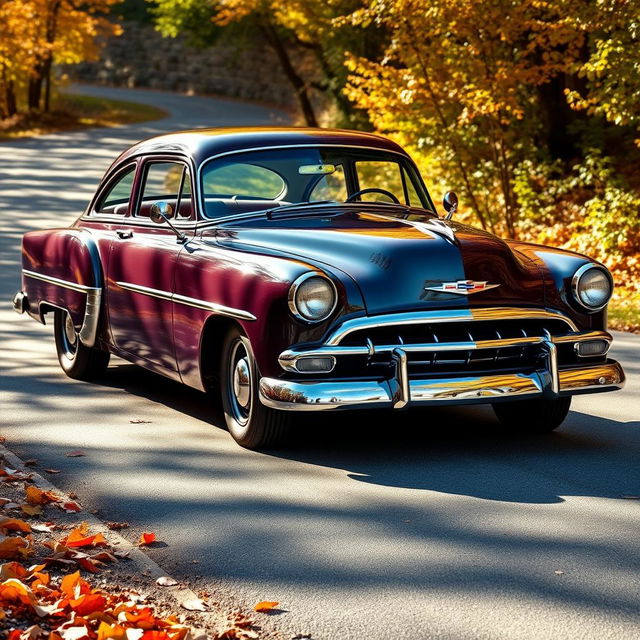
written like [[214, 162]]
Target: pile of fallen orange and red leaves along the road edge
[[38, 602]]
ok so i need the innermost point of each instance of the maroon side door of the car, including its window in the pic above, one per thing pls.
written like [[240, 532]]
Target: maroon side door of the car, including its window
[[142, 262]]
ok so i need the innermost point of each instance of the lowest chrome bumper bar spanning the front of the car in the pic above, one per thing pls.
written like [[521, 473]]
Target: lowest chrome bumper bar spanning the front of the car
[[322, 395]]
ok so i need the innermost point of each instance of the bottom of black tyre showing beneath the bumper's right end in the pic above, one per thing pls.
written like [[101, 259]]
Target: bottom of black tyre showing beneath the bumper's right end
[[533, 416]]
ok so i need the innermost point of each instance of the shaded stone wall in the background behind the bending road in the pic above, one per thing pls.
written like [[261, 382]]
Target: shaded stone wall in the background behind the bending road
[[141, 57]]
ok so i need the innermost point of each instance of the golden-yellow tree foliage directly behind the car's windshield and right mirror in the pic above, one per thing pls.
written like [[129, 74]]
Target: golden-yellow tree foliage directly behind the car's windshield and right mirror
[[458, 83]]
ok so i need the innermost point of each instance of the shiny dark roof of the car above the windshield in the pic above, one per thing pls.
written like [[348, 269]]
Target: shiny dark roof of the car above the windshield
[[201, 144]]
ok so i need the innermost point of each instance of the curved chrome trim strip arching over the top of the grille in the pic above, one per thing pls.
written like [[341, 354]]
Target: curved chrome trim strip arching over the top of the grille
[[451, 315]]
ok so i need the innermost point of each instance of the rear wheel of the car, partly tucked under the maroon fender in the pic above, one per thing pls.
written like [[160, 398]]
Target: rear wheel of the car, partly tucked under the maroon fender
[[76, 359]]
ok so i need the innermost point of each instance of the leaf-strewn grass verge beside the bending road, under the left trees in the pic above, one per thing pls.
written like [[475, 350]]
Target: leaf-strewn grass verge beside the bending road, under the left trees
[[73, 111]]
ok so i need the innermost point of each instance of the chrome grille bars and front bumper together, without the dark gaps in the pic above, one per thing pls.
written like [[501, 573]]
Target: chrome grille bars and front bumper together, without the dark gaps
[[549, 379]]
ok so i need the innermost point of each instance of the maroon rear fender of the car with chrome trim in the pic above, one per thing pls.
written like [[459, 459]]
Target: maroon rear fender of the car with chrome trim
[[61, 269]]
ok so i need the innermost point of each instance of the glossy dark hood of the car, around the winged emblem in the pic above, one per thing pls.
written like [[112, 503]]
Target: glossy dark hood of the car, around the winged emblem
[[395, 261]]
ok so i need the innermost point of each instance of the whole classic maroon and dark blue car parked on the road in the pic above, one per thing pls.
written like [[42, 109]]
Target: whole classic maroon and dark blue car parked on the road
[[300, 270]]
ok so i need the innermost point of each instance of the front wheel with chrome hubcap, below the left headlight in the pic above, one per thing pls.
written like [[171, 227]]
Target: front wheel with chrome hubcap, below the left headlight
[[251, 424]]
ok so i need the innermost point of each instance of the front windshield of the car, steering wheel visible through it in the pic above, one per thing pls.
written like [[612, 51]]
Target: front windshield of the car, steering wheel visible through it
[[260, 180]]
